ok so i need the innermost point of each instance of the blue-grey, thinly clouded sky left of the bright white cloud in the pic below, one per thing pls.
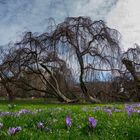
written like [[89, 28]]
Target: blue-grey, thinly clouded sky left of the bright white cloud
[[16, 16]]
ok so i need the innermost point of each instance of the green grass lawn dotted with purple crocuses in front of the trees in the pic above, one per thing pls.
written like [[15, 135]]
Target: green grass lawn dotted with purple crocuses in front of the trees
[[118, 126]]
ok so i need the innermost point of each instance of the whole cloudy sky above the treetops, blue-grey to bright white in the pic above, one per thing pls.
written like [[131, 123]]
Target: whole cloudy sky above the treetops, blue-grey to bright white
[[17, 16]]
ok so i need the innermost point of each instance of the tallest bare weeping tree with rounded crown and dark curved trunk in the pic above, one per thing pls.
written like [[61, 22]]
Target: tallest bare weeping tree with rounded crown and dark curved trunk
[[88, 45]]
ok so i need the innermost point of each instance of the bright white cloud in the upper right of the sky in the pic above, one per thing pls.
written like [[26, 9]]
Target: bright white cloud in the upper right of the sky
[[125, 17]]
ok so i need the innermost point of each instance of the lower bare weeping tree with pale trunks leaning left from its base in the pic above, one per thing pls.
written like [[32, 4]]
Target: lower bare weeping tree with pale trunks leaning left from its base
[[34, 55]]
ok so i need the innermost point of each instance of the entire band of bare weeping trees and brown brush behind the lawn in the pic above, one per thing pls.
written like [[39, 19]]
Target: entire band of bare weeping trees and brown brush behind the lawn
[[79, 60]]
